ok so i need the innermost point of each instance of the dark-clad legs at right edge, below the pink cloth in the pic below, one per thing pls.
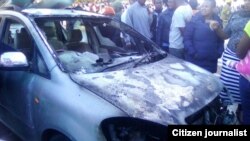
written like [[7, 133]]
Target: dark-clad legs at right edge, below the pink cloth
[[245, 98]]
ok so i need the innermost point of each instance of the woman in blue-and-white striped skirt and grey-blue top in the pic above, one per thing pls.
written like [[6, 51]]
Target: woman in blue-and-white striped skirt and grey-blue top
[[233, 31]]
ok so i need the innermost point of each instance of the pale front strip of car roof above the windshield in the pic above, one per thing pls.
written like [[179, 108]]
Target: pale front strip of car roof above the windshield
[[58, 12]]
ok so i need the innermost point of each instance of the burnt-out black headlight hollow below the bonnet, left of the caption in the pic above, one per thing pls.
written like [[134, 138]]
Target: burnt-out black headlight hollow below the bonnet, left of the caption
[[133, 129]]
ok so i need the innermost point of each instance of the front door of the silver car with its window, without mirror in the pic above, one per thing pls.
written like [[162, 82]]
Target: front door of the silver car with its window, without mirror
[[17, 88]]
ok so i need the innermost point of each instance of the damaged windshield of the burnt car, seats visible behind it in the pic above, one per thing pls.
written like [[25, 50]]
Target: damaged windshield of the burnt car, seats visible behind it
[[93, 44]]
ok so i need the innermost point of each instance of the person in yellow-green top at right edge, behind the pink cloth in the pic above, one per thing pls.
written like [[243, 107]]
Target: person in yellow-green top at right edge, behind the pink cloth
[[242, 49]]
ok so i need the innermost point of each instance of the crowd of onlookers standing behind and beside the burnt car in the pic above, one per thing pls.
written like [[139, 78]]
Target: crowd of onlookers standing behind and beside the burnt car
[[195, 32]]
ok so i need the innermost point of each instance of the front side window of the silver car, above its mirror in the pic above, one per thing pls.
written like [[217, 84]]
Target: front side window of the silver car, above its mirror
[[18, 38]]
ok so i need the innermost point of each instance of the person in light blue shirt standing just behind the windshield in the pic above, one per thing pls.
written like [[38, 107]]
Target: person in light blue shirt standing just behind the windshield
[[140, 18]]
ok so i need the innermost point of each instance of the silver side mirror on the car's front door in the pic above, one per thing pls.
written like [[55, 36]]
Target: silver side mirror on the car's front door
[[13, 61]]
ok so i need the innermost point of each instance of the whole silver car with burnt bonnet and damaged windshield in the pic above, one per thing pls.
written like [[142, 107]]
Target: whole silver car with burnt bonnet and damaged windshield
[[70, 75]]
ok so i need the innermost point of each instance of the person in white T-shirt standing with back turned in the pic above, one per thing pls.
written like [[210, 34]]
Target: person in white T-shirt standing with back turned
[[182, 15]]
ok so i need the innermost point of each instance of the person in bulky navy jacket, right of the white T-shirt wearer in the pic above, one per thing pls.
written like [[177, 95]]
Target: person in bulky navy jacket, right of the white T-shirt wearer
[[202, 45]]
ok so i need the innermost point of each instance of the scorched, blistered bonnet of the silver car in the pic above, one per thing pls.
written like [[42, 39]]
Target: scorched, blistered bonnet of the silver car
[[166, 91]]
